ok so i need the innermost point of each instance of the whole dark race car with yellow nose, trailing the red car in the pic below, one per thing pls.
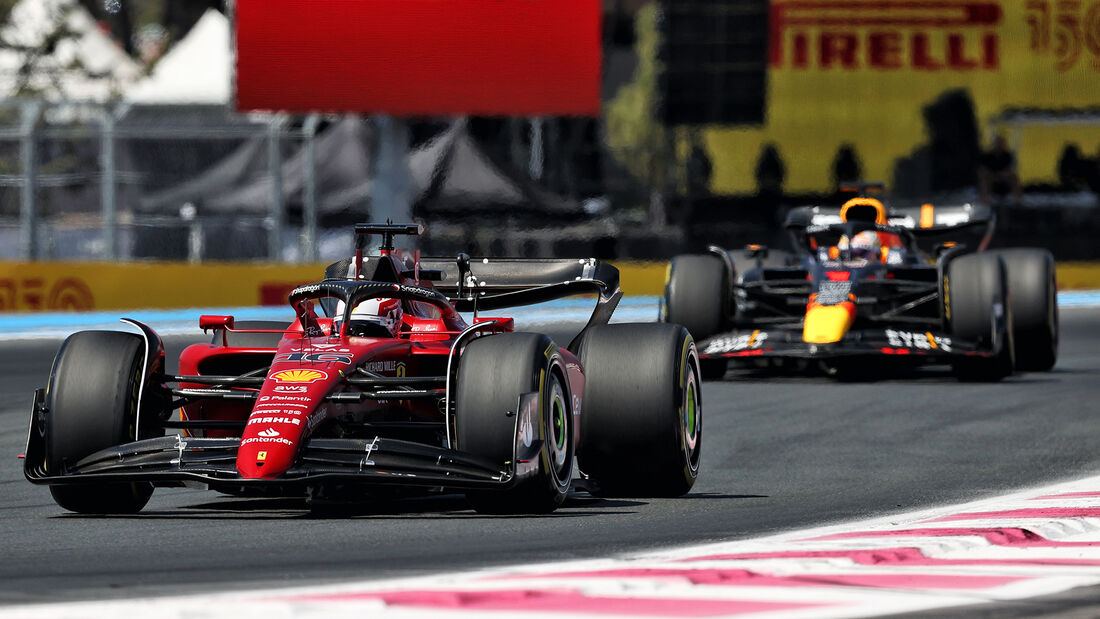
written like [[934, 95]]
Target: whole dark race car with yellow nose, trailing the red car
[[864, 285]]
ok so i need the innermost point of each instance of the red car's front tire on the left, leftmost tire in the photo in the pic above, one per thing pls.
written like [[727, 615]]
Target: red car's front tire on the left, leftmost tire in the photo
[[93, 405]]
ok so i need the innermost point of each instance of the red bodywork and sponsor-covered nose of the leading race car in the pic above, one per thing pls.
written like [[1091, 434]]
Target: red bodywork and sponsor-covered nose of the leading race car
[[294, 402]]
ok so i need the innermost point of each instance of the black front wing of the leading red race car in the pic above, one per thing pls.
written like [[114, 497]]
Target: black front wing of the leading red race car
[[175, 460]]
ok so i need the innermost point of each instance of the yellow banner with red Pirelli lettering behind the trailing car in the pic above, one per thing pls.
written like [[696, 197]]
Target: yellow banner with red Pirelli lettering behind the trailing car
[[862, 72]]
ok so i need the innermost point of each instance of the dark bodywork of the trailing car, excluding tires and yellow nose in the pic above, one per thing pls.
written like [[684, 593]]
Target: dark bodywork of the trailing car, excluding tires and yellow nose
[[899, 306]]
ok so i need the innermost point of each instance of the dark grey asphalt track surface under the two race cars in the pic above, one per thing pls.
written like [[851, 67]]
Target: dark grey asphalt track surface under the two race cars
[[782, 452]]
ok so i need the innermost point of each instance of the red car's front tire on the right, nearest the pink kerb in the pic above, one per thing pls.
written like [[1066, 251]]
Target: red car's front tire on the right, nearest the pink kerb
[[493, 372]]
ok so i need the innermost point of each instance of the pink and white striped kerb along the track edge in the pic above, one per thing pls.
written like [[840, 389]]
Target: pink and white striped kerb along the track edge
[[1030, 544]]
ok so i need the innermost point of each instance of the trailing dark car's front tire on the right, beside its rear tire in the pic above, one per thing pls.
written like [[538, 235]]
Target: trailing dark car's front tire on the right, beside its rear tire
[[978, 311]]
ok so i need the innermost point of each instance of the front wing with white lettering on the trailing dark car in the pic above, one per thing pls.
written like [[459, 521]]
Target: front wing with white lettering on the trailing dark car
[[930, 347]]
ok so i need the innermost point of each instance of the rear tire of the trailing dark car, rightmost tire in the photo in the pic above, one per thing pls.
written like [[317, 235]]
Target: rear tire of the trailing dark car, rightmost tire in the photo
[[1032, 294]]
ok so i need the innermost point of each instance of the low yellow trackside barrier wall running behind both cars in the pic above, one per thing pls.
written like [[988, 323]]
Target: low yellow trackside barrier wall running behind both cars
[[46, 286]]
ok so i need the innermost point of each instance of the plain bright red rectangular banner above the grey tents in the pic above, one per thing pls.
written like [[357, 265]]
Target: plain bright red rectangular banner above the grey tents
[[420, 58]]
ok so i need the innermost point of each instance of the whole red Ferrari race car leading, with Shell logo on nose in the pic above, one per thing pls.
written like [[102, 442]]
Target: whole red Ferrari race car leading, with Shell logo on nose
[[379, 388]]
